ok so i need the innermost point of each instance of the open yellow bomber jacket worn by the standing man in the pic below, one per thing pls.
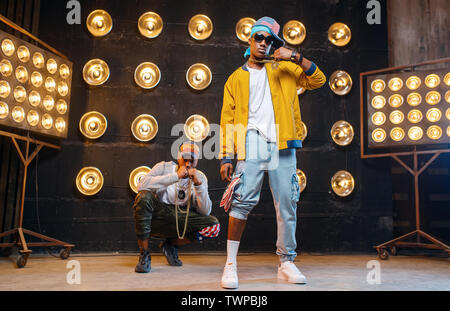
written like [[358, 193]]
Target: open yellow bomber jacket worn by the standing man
[[283, 82]]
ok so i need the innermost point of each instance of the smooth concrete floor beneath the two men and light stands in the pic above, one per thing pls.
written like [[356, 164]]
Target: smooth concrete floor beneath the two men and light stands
[[202, 272]]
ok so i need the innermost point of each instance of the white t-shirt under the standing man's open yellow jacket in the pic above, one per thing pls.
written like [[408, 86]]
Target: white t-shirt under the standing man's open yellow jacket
[[260, 108]]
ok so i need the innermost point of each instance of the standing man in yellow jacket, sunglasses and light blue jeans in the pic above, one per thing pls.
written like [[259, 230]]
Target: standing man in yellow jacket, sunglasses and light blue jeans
[[261, 128]]
